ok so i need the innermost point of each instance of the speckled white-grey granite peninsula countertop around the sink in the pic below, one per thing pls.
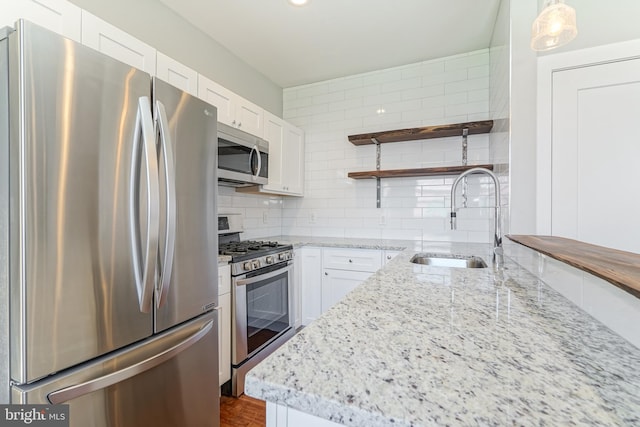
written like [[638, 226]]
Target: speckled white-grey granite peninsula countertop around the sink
[[421, 346]]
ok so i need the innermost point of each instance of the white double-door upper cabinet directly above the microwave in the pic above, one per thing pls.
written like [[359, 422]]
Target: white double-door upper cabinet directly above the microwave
[[233, 110]]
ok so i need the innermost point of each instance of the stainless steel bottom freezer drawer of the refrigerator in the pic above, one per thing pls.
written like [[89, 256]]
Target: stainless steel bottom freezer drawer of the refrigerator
[[169, 380]]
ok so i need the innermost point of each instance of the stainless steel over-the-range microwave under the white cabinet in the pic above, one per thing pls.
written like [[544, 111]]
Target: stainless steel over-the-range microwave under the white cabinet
[[243, 159]]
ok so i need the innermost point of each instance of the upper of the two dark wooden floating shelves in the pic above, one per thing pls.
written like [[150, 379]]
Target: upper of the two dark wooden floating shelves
[[427, 132]]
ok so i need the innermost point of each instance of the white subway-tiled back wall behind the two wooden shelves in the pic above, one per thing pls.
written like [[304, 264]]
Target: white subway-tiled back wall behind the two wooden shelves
[[447, 90]]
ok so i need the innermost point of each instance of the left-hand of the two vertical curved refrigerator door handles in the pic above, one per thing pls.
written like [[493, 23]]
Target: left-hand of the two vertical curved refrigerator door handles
[[144, 279]]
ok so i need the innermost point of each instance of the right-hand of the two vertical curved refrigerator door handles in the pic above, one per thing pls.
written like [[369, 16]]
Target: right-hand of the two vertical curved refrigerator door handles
[[170, 185]]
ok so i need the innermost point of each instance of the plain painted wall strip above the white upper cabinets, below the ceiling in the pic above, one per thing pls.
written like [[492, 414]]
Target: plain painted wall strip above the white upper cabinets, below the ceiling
[[155, 24]]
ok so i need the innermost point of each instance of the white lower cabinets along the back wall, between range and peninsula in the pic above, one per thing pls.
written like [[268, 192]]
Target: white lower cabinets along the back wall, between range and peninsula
[[328, 274]]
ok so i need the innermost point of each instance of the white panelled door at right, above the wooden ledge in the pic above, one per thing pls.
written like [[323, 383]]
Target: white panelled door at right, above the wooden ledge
[[594, 152]]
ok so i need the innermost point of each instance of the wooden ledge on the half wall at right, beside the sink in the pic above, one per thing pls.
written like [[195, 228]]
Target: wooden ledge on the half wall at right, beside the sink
[[617, 267]]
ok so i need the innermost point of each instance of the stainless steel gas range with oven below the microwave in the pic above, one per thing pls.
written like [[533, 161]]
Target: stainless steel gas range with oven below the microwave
[[261, 289]]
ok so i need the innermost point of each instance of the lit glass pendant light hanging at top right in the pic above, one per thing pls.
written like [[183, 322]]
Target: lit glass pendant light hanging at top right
[[554, 27]]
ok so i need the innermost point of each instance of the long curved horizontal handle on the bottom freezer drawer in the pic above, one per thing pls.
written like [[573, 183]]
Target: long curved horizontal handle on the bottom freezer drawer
[[69, 393]]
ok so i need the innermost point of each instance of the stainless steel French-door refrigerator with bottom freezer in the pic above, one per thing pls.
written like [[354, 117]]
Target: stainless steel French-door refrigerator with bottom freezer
[[108, 238]]
